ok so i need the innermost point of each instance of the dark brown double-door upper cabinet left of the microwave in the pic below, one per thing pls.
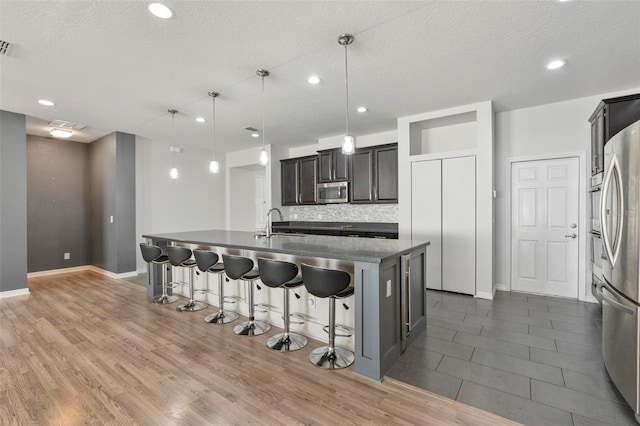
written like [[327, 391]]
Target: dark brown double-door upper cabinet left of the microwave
[[298, 179]]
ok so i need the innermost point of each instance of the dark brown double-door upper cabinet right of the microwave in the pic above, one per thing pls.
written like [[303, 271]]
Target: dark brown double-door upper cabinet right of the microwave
[[374, 175]]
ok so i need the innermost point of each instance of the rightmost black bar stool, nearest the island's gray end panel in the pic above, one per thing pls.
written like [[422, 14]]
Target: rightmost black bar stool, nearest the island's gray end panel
[[333, 284]]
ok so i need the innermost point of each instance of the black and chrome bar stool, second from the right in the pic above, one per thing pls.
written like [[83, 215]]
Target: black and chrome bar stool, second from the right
[[277, 274]]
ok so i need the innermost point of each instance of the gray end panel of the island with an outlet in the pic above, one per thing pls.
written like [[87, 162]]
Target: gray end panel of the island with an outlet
[[377, 317]]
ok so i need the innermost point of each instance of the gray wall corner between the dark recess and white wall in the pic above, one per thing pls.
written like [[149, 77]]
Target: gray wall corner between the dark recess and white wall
[[112, 182]]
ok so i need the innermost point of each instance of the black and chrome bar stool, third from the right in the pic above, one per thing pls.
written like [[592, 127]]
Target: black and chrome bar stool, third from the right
[[241, 268]]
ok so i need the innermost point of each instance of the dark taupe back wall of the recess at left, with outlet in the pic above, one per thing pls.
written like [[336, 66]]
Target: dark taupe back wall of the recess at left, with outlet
[[57, 203]]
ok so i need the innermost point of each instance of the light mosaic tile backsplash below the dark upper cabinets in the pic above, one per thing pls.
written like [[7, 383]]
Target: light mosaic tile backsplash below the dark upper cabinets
[[345, 213]]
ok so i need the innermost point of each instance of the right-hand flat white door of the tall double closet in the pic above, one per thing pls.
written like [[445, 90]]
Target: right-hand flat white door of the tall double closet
[[459, 225]]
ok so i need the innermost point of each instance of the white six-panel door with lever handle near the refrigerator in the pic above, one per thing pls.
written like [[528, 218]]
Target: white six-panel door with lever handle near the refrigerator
[[544, 227]]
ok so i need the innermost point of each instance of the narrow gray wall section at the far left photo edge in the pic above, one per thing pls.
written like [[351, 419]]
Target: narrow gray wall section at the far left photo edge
[[13, 201]]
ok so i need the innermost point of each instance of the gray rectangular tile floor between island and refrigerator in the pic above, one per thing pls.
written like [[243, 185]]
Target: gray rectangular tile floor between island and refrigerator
[[533, 359]]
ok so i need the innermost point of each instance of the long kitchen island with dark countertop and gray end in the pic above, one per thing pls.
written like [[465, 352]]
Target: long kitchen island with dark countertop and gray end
[[388, 276]]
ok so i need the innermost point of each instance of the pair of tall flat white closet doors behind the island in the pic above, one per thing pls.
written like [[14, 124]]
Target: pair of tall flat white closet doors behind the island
[[444, 212]]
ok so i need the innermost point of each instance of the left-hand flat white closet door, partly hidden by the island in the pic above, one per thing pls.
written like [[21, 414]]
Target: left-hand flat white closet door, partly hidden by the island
[[426, 215]]
